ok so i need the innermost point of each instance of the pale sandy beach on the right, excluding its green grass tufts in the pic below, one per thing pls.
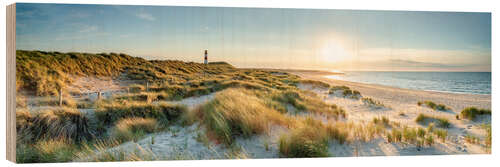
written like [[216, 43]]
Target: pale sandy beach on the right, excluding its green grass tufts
[[403, 108]]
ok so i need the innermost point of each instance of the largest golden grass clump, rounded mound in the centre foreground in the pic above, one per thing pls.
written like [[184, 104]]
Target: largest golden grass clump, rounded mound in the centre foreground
[[237, 112]]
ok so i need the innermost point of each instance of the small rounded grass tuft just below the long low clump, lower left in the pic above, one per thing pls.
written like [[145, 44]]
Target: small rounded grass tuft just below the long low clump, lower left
[[133, 128]]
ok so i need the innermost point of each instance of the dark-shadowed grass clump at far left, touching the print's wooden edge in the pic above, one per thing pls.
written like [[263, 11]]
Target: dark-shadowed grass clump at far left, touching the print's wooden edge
[[65, 123]]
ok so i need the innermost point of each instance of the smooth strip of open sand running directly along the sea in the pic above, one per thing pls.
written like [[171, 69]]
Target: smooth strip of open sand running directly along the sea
[[457, 101]]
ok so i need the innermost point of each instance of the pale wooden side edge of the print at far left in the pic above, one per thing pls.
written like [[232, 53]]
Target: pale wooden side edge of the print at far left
[[11, 82]]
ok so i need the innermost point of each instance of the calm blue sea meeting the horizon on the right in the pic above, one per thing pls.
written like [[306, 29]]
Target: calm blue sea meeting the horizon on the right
[[454, 82]]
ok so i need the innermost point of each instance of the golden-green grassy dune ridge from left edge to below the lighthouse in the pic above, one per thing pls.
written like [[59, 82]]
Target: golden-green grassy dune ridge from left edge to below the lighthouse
[[43, 73]]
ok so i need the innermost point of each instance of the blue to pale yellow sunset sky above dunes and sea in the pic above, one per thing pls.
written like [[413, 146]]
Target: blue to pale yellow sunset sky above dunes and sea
[[327, 39]]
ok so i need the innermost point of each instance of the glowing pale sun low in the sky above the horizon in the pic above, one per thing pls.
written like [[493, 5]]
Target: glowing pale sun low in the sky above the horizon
[[333, 51]]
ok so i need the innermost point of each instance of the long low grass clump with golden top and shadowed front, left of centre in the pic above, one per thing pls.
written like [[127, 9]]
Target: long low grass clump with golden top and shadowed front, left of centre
[[164, 112]]
